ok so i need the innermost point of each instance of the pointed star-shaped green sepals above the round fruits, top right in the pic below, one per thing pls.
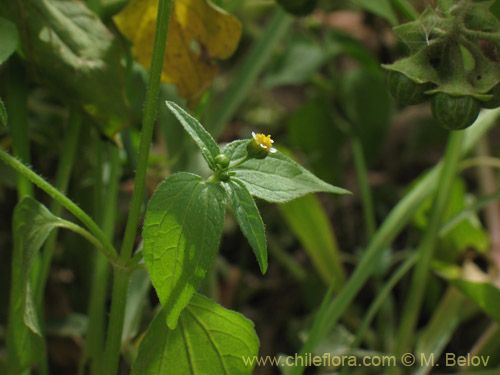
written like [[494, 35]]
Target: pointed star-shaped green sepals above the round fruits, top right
[[439, 44]]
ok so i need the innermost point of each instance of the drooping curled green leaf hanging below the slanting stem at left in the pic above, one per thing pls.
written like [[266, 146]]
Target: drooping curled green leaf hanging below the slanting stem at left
[[32, 224]]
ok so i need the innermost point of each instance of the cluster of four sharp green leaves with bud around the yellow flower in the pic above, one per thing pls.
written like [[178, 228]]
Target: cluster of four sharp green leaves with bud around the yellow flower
[[185, 216]]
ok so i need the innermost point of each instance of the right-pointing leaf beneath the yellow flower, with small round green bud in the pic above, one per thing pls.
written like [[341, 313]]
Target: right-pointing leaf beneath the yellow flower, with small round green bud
[[276, 178]]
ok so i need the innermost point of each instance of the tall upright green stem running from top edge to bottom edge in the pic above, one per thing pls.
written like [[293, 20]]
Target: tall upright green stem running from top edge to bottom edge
[[122, 276]]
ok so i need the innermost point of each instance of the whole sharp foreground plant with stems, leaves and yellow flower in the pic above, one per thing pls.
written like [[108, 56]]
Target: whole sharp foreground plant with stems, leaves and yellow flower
[[181, 235]]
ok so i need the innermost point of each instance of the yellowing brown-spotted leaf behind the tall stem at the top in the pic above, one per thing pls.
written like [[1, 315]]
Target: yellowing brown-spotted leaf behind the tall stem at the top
[[198, 33]]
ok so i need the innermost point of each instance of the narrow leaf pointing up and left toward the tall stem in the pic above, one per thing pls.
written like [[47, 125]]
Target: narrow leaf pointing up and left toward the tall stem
[[203, 139]]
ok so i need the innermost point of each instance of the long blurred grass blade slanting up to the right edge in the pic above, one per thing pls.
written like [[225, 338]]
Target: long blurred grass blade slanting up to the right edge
[[392, 225]]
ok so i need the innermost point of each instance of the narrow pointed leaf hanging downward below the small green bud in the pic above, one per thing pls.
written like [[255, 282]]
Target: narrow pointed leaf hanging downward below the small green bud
[[248, 217]]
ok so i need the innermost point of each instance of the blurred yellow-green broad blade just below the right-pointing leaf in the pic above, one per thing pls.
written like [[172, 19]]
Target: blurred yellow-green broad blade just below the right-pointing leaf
[[307, 219]]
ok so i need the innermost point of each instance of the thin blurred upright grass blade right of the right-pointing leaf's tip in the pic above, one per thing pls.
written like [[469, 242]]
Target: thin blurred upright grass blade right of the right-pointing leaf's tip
[[364, 187]]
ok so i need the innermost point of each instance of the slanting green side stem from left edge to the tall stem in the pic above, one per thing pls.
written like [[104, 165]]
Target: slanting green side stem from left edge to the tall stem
[[107, 247]]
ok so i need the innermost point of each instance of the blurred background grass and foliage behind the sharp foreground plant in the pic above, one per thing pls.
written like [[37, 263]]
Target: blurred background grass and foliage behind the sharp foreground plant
[[342, 277]]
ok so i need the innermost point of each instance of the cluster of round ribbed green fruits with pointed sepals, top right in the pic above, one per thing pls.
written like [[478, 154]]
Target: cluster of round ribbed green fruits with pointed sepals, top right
[[453, 52]]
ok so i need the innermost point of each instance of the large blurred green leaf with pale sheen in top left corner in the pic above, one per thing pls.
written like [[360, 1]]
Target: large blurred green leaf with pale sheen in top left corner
[[75, 55]]
